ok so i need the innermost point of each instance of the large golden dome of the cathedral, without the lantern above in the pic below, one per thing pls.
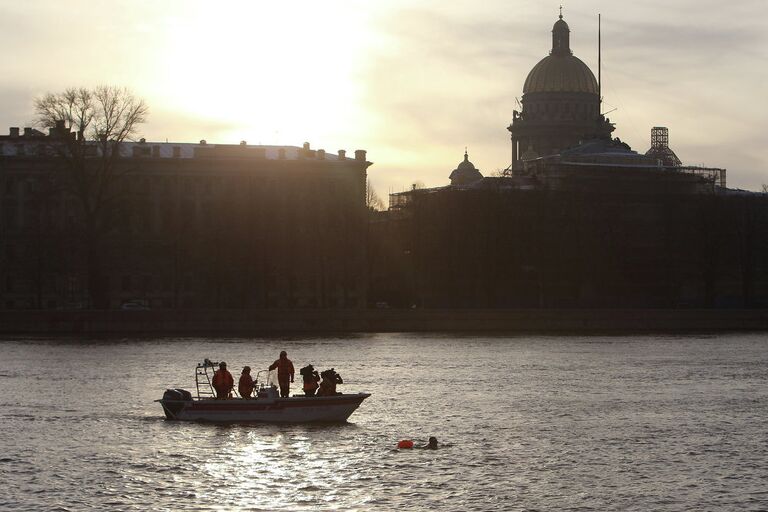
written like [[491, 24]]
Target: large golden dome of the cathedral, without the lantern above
[[560, 73]]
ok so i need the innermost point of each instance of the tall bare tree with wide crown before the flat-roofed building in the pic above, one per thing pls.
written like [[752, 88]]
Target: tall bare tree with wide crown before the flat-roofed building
[[89, 127]]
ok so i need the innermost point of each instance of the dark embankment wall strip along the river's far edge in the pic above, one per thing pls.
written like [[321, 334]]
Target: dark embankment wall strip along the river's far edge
[[274, 321]]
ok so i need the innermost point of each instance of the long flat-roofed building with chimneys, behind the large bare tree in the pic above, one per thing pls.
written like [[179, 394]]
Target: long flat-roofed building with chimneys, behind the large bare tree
[[198, 226]]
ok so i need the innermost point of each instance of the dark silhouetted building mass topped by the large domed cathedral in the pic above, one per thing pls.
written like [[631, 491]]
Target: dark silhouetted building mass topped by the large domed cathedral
[[578, 220]]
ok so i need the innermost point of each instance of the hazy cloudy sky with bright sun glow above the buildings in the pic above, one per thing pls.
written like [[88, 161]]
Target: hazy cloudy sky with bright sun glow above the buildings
[[413, 82]]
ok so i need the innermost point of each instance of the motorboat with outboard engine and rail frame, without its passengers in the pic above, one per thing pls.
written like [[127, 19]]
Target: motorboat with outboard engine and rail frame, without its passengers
[[266, 407]]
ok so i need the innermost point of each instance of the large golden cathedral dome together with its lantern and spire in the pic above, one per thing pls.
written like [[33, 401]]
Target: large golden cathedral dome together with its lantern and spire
[[560, 71]]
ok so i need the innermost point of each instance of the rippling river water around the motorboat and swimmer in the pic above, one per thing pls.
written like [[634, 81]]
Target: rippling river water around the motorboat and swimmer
[[525, 423]]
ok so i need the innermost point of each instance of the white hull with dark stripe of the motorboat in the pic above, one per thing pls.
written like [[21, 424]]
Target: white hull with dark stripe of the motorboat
[[295, 409]]
